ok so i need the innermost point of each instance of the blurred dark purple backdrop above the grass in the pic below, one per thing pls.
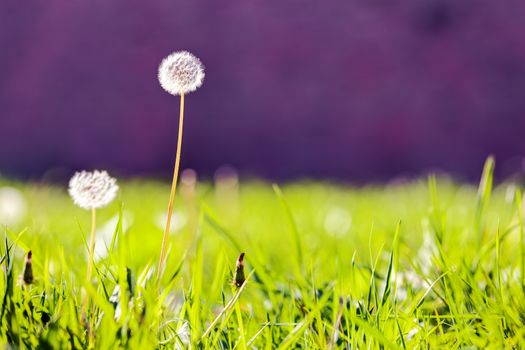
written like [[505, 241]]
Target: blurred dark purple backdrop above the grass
[[348, 90]]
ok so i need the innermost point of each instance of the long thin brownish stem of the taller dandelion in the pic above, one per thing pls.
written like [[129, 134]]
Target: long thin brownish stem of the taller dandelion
[[160, 270]]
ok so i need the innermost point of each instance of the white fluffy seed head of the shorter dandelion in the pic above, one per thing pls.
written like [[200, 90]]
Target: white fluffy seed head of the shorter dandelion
[[92, 189]]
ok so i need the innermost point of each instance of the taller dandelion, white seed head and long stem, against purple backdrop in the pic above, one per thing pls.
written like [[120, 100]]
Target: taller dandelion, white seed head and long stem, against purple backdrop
[[179, 73]]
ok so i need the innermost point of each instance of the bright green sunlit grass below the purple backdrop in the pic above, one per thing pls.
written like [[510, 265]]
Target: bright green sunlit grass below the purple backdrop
[[422, 264]]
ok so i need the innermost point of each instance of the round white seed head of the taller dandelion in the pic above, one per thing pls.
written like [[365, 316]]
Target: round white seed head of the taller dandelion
[[181, 72]]
